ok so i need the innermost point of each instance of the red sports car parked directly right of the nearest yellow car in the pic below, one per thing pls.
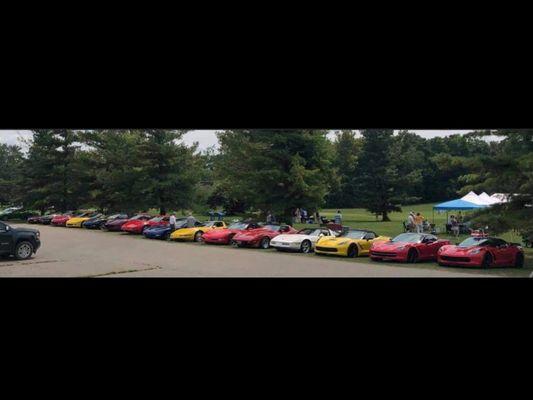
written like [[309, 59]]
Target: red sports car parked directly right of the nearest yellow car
[[408, 247]]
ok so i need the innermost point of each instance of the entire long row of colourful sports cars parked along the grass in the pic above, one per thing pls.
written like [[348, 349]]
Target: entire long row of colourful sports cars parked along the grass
[[476, 251]]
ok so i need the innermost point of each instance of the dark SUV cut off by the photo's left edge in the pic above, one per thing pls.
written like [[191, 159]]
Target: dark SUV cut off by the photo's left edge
[[19, 242]]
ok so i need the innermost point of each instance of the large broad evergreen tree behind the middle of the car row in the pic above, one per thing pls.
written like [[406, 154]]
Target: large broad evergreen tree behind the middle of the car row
[[276, 170]]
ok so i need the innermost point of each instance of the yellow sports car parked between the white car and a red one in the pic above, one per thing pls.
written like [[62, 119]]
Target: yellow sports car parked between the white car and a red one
[[352, 243]]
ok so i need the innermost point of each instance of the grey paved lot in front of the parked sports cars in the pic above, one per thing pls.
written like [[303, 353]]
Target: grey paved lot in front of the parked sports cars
[[84, 253]]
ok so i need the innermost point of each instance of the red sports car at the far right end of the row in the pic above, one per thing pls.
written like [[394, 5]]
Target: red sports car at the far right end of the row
[[482, 252]]
